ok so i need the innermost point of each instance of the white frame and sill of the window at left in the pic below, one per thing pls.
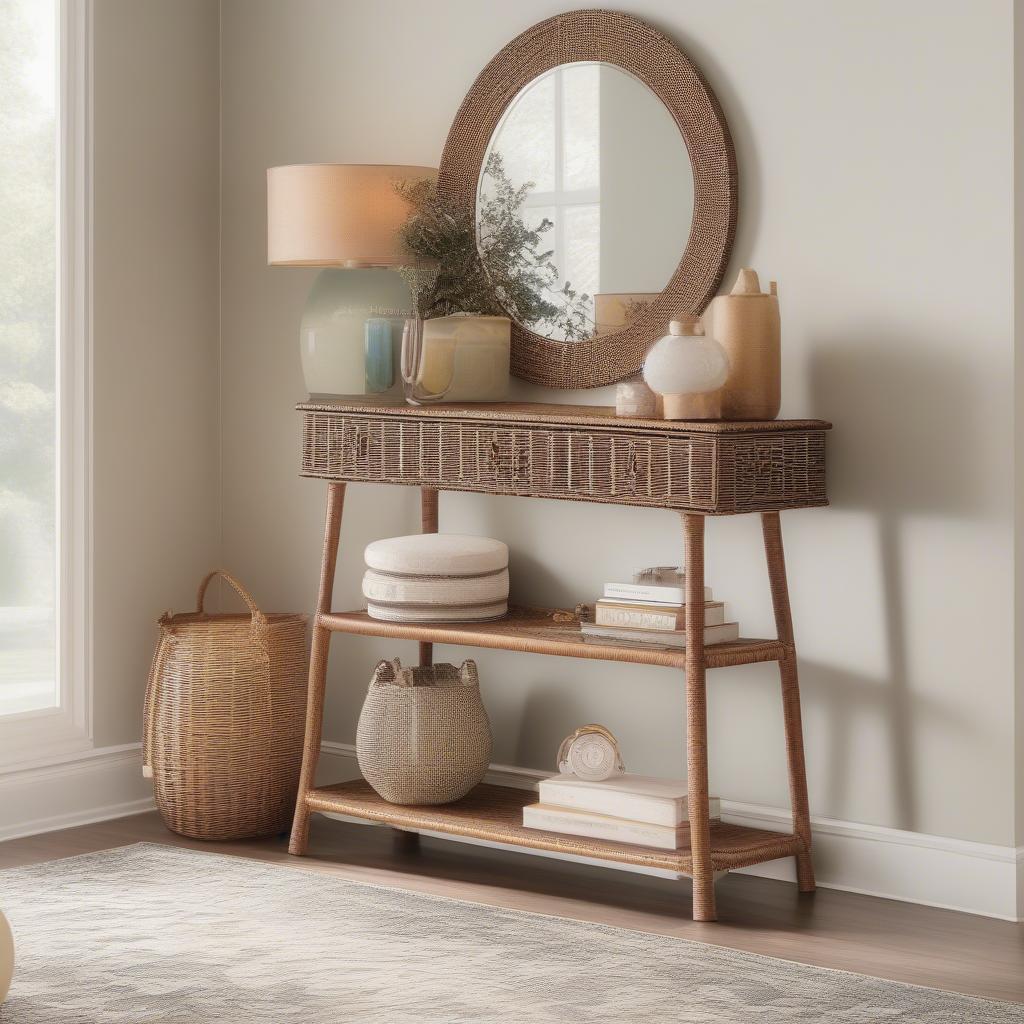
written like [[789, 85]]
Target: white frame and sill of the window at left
[[52, 735]]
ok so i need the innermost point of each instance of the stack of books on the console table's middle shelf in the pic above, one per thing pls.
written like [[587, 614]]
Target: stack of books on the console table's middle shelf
[[652, 610]]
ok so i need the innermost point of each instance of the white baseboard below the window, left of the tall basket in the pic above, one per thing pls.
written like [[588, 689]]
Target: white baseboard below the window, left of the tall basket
[[93, 786]]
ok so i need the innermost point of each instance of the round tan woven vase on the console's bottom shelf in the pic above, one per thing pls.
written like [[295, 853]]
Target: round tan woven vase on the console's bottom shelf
[[423, 736]]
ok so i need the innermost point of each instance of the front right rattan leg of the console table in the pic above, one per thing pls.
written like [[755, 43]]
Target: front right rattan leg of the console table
[[697, 723]]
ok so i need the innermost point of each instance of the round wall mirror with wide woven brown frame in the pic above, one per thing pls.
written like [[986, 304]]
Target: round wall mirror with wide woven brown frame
[[595, 168]]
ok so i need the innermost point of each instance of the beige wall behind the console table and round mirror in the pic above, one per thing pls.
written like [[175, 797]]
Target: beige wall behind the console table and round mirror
[[876, 187]]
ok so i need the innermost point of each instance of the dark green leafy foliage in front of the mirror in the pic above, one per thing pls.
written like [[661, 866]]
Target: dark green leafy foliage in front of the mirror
[[495, 268]]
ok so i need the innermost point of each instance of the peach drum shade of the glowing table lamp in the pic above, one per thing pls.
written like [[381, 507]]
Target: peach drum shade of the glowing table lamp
[[337, 215]]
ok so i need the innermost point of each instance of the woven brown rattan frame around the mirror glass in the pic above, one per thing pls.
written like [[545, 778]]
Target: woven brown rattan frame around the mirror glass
[[645, 53]]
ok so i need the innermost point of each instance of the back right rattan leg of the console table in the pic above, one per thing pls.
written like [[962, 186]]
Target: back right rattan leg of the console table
[[773, 529]]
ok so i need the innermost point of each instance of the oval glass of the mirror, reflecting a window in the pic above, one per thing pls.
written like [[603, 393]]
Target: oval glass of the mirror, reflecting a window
[[585, 201]]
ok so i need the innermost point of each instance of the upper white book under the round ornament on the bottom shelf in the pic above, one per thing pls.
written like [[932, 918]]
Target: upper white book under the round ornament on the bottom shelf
[[637, 798]]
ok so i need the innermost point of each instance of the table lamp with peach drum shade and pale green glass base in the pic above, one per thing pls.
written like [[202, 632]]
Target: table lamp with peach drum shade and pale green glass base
[[347, 219]]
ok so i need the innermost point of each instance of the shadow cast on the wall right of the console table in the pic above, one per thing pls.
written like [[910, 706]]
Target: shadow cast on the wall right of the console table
[[890, 456]]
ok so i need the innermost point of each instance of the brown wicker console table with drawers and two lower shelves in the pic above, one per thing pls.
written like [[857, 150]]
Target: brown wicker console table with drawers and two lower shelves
[[576, 453]]
